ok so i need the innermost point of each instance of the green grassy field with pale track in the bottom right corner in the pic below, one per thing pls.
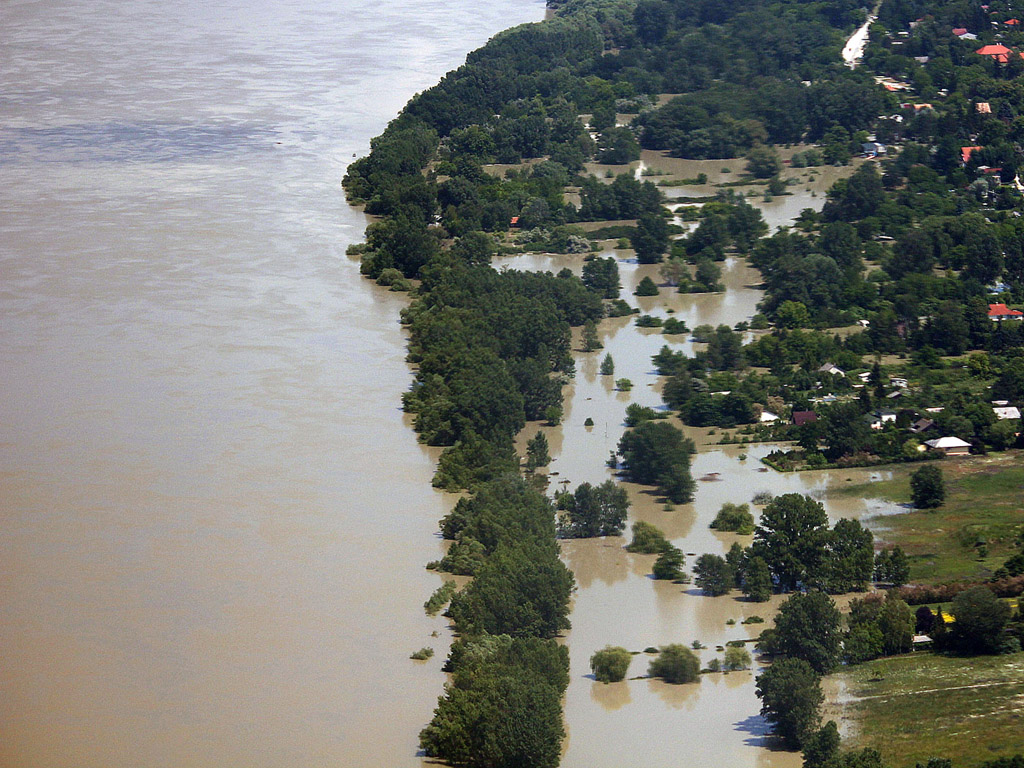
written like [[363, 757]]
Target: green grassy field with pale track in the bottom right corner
[[920, 706]]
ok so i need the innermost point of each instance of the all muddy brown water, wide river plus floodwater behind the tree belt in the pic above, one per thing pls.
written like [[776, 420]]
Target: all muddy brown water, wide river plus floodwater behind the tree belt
[[216, 518]]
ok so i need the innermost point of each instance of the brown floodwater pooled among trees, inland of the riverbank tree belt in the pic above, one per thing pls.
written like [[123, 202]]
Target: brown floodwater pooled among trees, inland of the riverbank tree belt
[[647, 722]]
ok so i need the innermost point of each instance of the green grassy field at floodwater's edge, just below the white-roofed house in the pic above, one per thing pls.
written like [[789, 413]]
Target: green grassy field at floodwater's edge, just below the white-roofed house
[[985, 503]]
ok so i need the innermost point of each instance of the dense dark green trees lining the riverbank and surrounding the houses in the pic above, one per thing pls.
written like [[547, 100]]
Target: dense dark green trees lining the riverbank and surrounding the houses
[[907, 257]]
